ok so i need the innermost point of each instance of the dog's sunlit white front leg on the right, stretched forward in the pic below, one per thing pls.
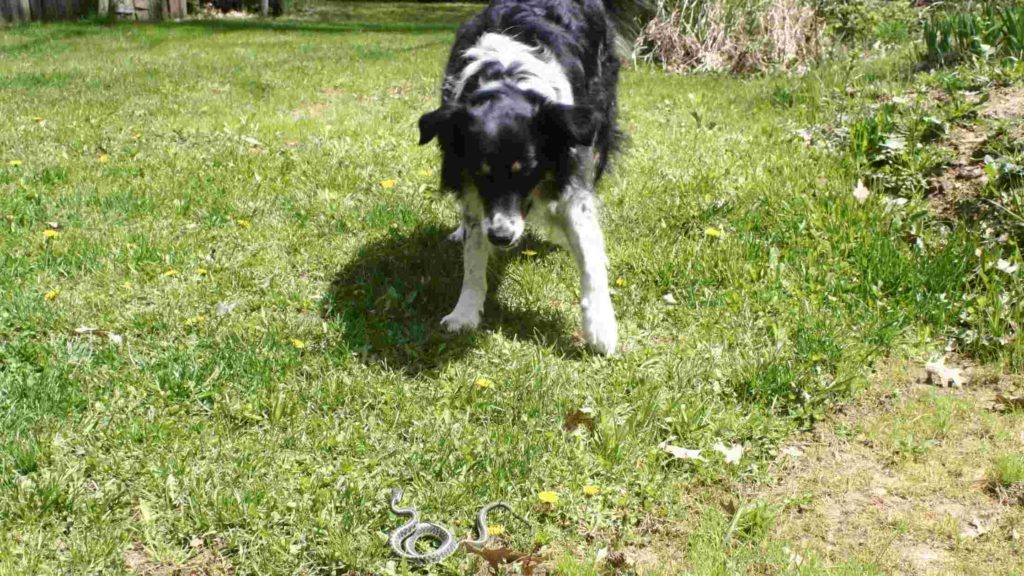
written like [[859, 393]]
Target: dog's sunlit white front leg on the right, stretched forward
[[579, 212]]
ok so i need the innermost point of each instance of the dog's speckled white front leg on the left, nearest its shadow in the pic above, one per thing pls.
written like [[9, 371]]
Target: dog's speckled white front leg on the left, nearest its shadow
[[466, 315]]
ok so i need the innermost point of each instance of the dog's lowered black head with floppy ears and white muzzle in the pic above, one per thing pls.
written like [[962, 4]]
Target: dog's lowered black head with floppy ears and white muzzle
[[503, 142]]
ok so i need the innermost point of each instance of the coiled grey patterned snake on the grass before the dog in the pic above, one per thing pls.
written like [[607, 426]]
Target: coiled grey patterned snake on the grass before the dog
[[403, 540]]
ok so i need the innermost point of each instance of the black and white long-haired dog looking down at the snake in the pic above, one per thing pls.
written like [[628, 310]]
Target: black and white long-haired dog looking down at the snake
[[527, 126]]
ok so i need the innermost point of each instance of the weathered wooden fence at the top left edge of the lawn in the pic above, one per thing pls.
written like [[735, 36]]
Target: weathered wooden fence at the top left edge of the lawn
[[27, 11]]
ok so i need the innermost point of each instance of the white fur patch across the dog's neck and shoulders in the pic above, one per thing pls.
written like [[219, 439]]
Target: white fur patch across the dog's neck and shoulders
[[537, 69]]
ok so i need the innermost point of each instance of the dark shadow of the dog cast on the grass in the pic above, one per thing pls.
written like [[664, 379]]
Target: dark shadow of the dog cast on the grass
[[390, 300]]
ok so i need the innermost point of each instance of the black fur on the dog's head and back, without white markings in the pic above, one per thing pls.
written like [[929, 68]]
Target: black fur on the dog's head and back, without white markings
[[507, 125]]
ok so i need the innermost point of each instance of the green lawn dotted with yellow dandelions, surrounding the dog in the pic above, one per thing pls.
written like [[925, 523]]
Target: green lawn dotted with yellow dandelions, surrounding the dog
[[220, 195]]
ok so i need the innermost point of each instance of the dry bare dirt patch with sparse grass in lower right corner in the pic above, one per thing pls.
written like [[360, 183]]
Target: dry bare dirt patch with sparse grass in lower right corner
[[900, 480]]
